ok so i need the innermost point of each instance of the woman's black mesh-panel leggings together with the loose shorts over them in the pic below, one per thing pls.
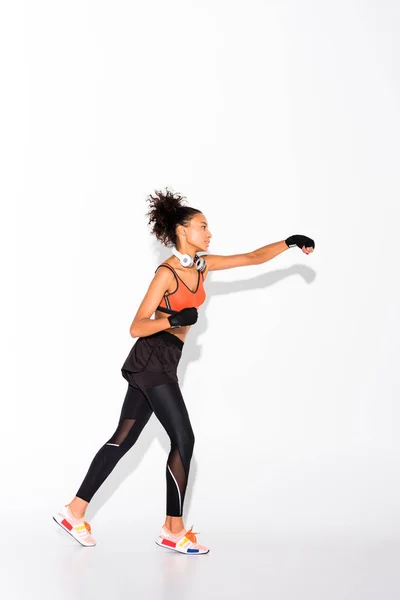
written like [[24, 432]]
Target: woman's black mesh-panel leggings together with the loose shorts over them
[[166, 401]]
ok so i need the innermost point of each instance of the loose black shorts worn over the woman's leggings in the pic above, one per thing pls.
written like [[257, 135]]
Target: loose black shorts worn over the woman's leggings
[[153, 360]]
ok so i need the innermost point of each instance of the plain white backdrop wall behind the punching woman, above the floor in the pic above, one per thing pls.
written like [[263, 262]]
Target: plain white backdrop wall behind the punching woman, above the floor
[[273, 118]]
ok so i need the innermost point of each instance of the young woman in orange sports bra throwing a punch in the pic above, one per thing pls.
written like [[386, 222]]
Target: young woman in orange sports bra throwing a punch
[[173, 296]]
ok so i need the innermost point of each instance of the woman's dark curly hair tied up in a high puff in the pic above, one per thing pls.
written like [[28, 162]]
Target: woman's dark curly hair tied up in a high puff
[[165, 213]]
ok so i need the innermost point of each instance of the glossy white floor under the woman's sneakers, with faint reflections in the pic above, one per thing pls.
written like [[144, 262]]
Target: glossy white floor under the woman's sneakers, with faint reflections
[[126, 564]]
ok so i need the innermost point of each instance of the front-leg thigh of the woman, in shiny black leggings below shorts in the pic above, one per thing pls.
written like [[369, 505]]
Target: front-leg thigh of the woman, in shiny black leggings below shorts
[[168, 405]]
